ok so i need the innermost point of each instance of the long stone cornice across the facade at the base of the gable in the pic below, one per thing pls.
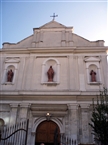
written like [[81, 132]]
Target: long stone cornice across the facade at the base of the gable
[[85, 49]]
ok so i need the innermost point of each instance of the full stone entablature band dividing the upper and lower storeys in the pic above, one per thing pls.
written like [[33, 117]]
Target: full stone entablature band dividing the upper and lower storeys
[[49, 96]]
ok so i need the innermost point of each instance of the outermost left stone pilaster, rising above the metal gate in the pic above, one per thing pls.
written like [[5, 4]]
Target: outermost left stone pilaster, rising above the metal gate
[[14, 113]]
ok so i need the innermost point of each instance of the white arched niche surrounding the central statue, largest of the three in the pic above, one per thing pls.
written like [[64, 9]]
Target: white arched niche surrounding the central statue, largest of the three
[[45, 67]]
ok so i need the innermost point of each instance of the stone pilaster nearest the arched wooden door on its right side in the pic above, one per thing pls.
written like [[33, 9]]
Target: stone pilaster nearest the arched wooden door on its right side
[[73, 110]]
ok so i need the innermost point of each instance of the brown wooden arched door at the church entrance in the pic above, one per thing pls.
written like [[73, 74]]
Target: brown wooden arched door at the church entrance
[[46, 132]]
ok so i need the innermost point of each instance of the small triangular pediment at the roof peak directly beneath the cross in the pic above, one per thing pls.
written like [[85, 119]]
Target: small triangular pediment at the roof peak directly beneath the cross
[[53, 24]]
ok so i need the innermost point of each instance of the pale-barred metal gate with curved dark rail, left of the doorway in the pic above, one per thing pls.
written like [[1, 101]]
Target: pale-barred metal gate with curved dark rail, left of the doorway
[[15, 134]]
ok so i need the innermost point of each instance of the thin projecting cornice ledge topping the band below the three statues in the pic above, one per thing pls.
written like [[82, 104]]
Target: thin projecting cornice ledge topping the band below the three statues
[[49, 93]]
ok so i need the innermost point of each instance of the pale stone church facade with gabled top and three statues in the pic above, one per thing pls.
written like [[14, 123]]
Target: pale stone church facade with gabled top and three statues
[[50, 78]]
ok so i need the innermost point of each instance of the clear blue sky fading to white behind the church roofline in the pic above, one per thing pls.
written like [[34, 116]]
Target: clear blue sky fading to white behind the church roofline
[[89, 18]]
